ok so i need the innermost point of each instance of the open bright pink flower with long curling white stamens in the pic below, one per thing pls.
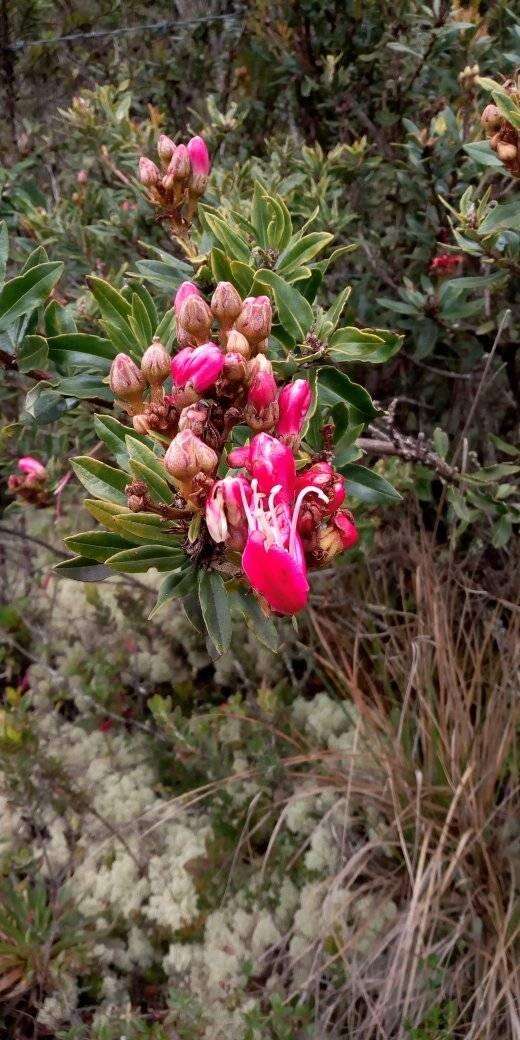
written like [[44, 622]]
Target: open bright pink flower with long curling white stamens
[[274, 560]]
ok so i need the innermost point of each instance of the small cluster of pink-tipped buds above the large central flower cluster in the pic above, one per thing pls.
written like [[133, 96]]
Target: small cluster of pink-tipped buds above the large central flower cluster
[[176, 188]]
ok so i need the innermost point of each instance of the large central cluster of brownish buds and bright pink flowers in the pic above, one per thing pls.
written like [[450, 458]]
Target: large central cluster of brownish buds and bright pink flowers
[[283, 514]]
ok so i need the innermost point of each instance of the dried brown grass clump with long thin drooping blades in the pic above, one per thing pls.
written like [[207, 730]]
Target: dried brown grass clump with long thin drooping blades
[[434, 675]]
